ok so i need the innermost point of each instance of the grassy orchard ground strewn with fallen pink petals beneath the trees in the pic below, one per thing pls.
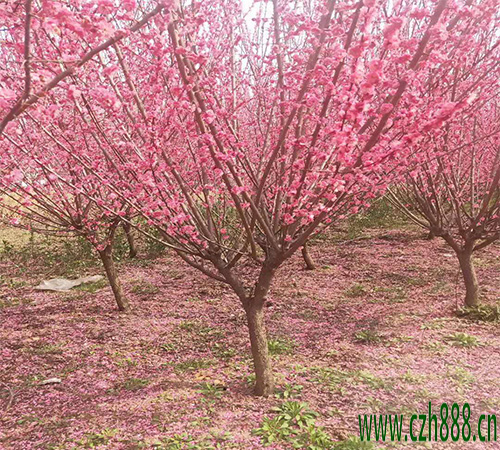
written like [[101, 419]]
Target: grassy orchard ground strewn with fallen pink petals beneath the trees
[[373, 330]]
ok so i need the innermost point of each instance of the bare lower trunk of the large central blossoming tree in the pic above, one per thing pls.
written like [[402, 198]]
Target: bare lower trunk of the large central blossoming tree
[[264, 380]]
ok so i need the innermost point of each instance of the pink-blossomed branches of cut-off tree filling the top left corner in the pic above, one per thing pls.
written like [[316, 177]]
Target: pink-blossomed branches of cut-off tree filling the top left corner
[[44, 44]]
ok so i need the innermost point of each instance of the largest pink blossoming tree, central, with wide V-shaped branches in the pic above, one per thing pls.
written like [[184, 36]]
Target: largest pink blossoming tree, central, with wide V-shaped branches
[[249, 128]]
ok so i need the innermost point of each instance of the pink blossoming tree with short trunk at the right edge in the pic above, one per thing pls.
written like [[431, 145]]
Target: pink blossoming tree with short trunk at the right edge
[[455, 191]]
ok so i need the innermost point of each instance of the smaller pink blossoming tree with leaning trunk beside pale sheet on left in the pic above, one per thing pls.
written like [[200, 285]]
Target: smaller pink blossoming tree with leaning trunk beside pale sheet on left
[[46, 192]]
